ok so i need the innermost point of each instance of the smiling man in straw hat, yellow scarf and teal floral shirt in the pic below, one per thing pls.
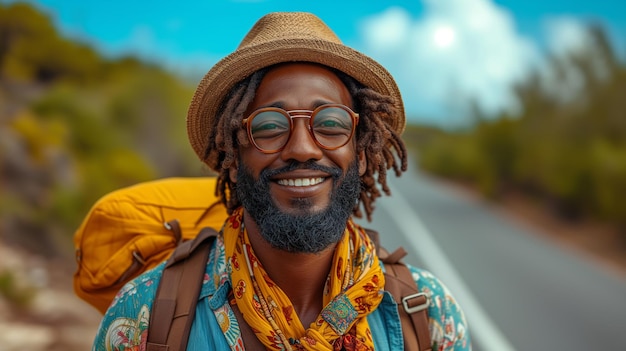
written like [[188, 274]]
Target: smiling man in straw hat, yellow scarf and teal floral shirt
[[300, 129]]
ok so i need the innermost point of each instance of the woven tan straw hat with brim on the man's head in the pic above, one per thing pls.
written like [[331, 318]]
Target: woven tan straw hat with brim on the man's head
[[277, 38]]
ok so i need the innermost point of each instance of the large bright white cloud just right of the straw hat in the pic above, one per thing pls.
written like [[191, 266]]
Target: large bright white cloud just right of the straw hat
[[457, 50]]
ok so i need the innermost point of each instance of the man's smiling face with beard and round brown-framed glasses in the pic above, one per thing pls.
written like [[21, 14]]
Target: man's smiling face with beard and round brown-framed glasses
[[312, 172]]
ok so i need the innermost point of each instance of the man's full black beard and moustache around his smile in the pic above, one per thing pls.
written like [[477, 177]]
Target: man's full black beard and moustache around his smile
[[306, 231]]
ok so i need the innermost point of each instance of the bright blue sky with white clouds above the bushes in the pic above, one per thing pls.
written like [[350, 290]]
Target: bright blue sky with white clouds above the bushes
[[442, 52]]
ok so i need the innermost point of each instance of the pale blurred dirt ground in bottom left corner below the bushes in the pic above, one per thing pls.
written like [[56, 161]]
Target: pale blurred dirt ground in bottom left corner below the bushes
[[54, 319]]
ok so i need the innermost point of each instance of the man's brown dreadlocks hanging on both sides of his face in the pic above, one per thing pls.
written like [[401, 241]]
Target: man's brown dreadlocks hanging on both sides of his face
[[374, 136]]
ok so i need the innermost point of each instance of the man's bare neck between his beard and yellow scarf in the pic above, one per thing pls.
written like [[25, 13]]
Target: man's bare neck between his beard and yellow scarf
[[301, 276]]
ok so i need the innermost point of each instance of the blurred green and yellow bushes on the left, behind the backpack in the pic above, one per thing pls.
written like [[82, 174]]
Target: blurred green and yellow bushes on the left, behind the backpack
[[75, 125]]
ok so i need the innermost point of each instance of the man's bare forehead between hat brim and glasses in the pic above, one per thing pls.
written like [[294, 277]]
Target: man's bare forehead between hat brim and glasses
[[301, 85]]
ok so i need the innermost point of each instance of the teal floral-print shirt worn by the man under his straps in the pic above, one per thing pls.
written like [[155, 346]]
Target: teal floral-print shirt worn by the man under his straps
[[125, 324]]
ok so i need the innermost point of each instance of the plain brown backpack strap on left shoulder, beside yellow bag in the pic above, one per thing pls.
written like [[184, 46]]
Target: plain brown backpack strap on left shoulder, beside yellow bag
[[177, 295]]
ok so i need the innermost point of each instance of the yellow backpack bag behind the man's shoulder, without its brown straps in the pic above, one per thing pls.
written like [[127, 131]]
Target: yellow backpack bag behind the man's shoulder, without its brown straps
[[126, 232]]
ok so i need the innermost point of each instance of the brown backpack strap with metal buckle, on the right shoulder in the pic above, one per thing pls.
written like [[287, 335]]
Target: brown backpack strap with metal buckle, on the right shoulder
[[412, 305]]
